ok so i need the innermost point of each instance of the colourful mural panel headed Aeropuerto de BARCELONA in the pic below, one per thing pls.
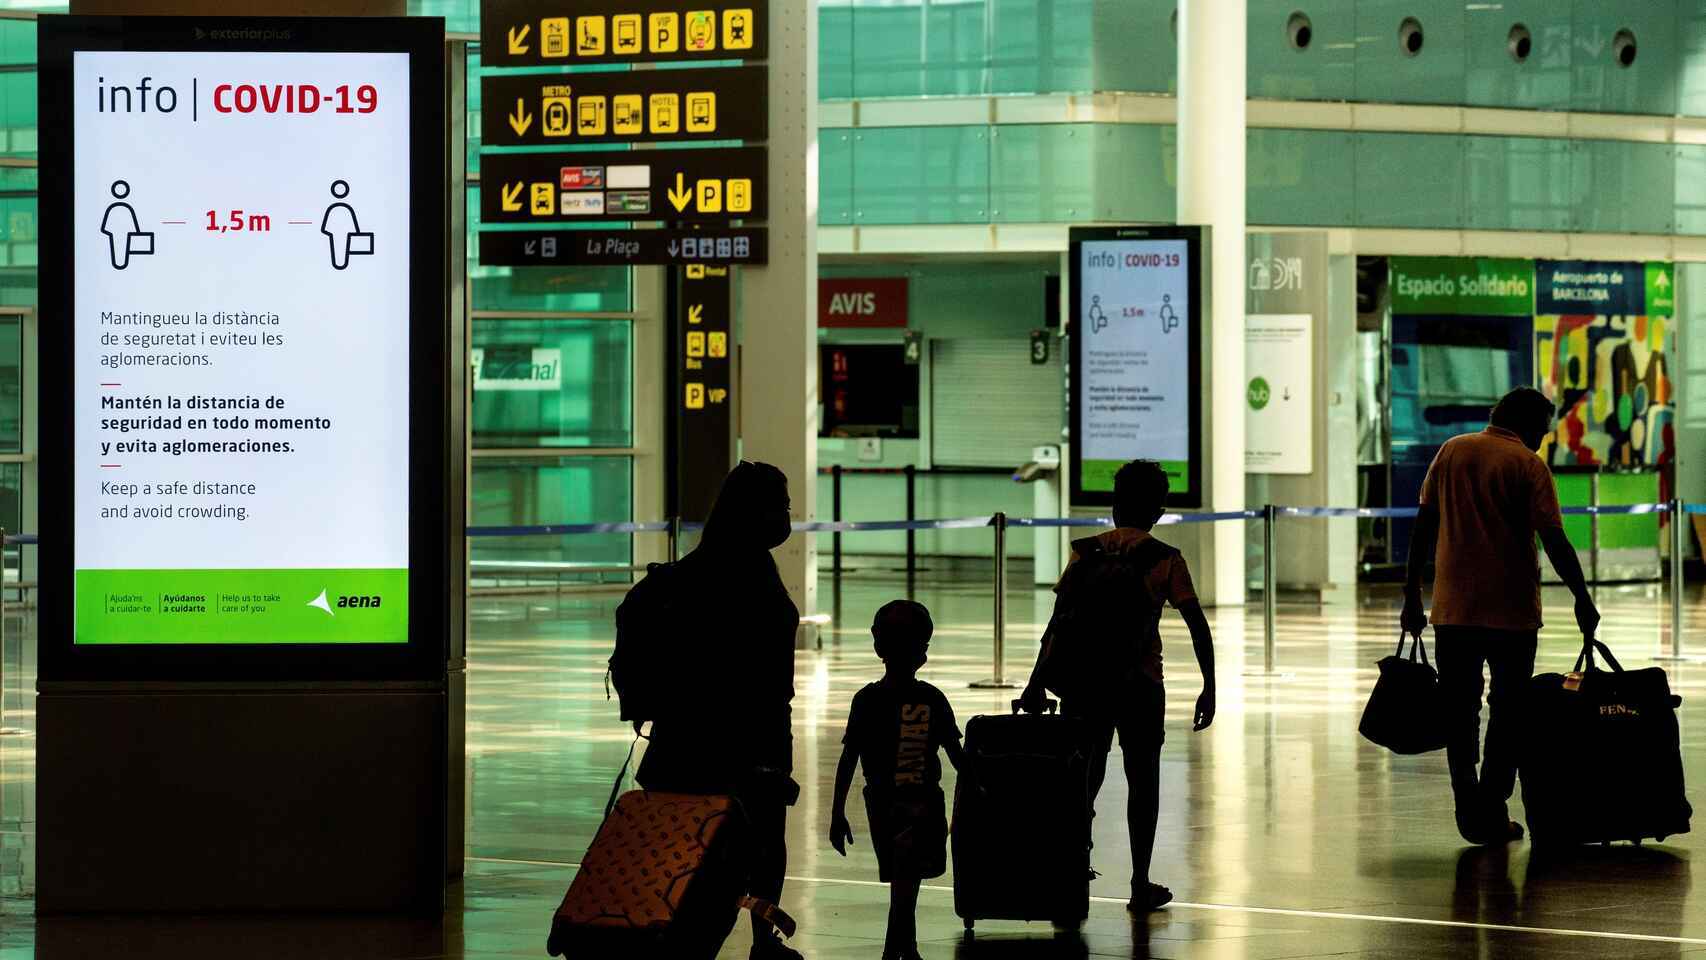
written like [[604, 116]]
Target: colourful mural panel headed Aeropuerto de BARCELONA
[[1601, 338]]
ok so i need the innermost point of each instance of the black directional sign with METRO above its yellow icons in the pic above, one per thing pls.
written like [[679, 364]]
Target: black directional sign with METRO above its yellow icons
[[566, 110]]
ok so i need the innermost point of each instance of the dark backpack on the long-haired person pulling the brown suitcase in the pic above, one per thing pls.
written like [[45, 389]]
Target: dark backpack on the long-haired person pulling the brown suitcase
[[644, 669]]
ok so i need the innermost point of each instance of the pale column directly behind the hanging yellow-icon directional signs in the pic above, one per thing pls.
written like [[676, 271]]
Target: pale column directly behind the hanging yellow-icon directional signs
[[779, 303]]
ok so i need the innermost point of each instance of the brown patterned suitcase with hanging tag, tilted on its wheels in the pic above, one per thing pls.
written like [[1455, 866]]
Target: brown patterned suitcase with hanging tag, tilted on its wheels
[[664, 879]]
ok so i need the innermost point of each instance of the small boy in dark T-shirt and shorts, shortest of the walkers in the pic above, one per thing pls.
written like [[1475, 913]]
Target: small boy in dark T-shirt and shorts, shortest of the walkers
[[895, 731]]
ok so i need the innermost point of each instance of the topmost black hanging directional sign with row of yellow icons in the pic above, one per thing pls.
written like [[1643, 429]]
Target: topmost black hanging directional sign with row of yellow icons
[[571, 33]]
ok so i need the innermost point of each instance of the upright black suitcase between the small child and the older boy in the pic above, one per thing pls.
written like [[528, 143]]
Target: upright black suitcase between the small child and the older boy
[[1023, 836]]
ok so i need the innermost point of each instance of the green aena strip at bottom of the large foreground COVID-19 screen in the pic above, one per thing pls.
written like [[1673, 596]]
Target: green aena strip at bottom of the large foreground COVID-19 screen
[[243, 606]]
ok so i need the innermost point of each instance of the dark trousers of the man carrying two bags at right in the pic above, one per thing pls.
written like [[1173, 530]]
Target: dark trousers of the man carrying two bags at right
[[1463, 657]]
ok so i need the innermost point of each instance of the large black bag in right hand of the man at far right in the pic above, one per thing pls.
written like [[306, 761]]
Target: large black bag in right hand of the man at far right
[[1603, 758]]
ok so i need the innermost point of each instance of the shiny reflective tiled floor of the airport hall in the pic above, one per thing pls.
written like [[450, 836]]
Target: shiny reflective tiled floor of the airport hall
[[1284, 833]]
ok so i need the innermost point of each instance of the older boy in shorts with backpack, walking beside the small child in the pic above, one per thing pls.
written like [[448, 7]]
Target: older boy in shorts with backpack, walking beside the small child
[[1103, 656]]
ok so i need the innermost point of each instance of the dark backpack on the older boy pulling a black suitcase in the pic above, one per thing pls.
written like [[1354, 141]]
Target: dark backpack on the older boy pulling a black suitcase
[[1103, 616]]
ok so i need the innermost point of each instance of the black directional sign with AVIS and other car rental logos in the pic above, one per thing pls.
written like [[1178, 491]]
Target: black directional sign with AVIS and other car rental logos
[[712, 185]]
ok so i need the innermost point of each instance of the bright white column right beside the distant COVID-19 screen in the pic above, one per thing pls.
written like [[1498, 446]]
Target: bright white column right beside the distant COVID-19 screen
[[1212, 90]]
